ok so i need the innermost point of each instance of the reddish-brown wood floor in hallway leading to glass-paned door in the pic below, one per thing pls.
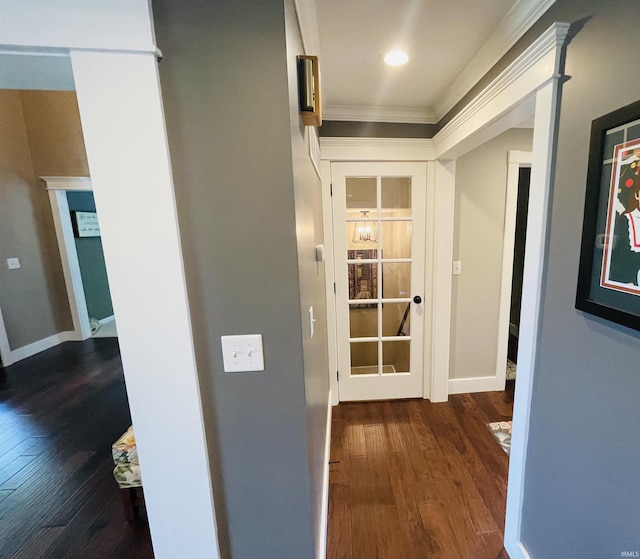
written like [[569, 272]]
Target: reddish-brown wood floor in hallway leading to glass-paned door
[[414, 480]]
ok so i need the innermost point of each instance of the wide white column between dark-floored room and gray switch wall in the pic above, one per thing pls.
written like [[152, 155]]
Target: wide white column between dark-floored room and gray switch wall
[[124, 130]]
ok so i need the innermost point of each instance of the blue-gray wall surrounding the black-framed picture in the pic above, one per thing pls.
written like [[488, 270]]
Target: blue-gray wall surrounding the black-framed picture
[[582, 482]]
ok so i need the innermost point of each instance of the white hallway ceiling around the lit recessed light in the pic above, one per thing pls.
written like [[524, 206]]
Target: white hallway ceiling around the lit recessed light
[[451, 44]]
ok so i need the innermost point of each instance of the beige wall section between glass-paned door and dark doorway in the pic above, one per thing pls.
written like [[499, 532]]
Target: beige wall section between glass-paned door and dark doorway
[[481, 187]]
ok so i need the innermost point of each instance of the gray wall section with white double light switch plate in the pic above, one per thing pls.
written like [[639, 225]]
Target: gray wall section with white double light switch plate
[[249, 210]]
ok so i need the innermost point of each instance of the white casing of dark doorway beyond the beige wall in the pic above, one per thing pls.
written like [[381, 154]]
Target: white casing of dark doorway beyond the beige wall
[[515, 160]]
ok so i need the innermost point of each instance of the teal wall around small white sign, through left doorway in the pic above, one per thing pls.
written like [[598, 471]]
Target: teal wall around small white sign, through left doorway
[[91, 259]]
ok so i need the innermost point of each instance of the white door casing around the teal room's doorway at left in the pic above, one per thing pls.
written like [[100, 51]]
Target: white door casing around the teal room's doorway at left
[[69, 257]]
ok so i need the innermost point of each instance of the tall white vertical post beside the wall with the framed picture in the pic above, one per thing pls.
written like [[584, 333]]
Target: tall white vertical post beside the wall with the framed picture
[[539, 200]]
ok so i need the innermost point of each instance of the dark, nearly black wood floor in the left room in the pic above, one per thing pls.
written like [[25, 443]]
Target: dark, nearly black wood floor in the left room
[[59, 413]]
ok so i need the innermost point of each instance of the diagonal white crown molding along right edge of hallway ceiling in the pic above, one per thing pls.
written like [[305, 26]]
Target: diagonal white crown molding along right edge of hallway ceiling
[[514, 25]]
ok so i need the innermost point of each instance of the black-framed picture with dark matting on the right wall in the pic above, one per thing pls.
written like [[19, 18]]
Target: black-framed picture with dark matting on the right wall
[[609, 273]]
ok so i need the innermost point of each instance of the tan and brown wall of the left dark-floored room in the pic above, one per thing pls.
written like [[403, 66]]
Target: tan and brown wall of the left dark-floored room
[[40, 134]]
